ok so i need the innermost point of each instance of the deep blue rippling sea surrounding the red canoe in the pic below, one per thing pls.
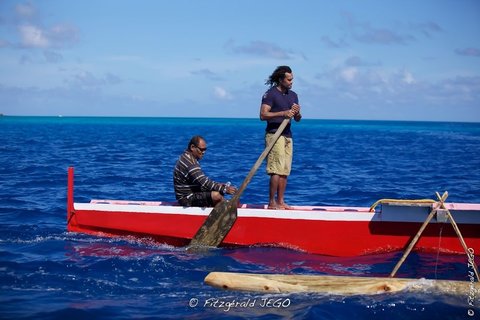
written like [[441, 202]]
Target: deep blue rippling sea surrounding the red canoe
[[48, 273]]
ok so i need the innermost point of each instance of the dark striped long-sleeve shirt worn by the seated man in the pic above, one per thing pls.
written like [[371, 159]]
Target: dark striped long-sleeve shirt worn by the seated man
[[189, 178]]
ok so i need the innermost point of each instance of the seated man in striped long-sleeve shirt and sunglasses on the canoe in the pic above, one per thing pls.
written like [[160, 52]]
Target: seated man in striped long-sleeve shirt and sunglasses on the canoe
[[192, 187]]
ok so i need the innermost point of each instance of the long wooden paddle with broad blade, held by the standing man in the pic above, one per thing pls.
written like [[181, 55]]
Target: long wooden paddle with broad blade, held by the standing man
[[223, 216]]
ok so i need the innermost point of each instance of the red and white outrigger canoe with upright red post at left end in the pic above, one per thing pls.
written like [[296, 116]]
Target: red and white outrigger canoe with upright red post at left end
[[326, 230]]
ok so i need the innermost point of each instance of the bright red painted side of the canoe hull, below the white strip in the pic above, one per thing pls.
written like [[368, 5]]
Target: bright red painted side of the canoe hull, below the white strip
[[328, 237]]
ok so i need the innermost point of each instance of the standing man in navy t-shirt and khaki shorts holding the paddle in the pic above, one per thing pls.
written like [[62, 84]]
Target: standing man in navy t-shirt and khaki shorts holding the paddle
[[279, 103]]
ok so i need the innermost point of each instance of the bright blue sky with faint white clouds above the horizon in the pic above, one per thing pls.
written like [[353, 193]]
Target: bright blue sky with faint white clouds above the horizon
[[389, 60]]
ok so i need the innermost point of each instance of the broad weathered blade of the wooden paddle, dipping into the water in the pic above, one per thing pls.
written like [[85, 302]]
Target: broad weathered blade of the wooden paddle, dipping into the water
[[216, 226]]
